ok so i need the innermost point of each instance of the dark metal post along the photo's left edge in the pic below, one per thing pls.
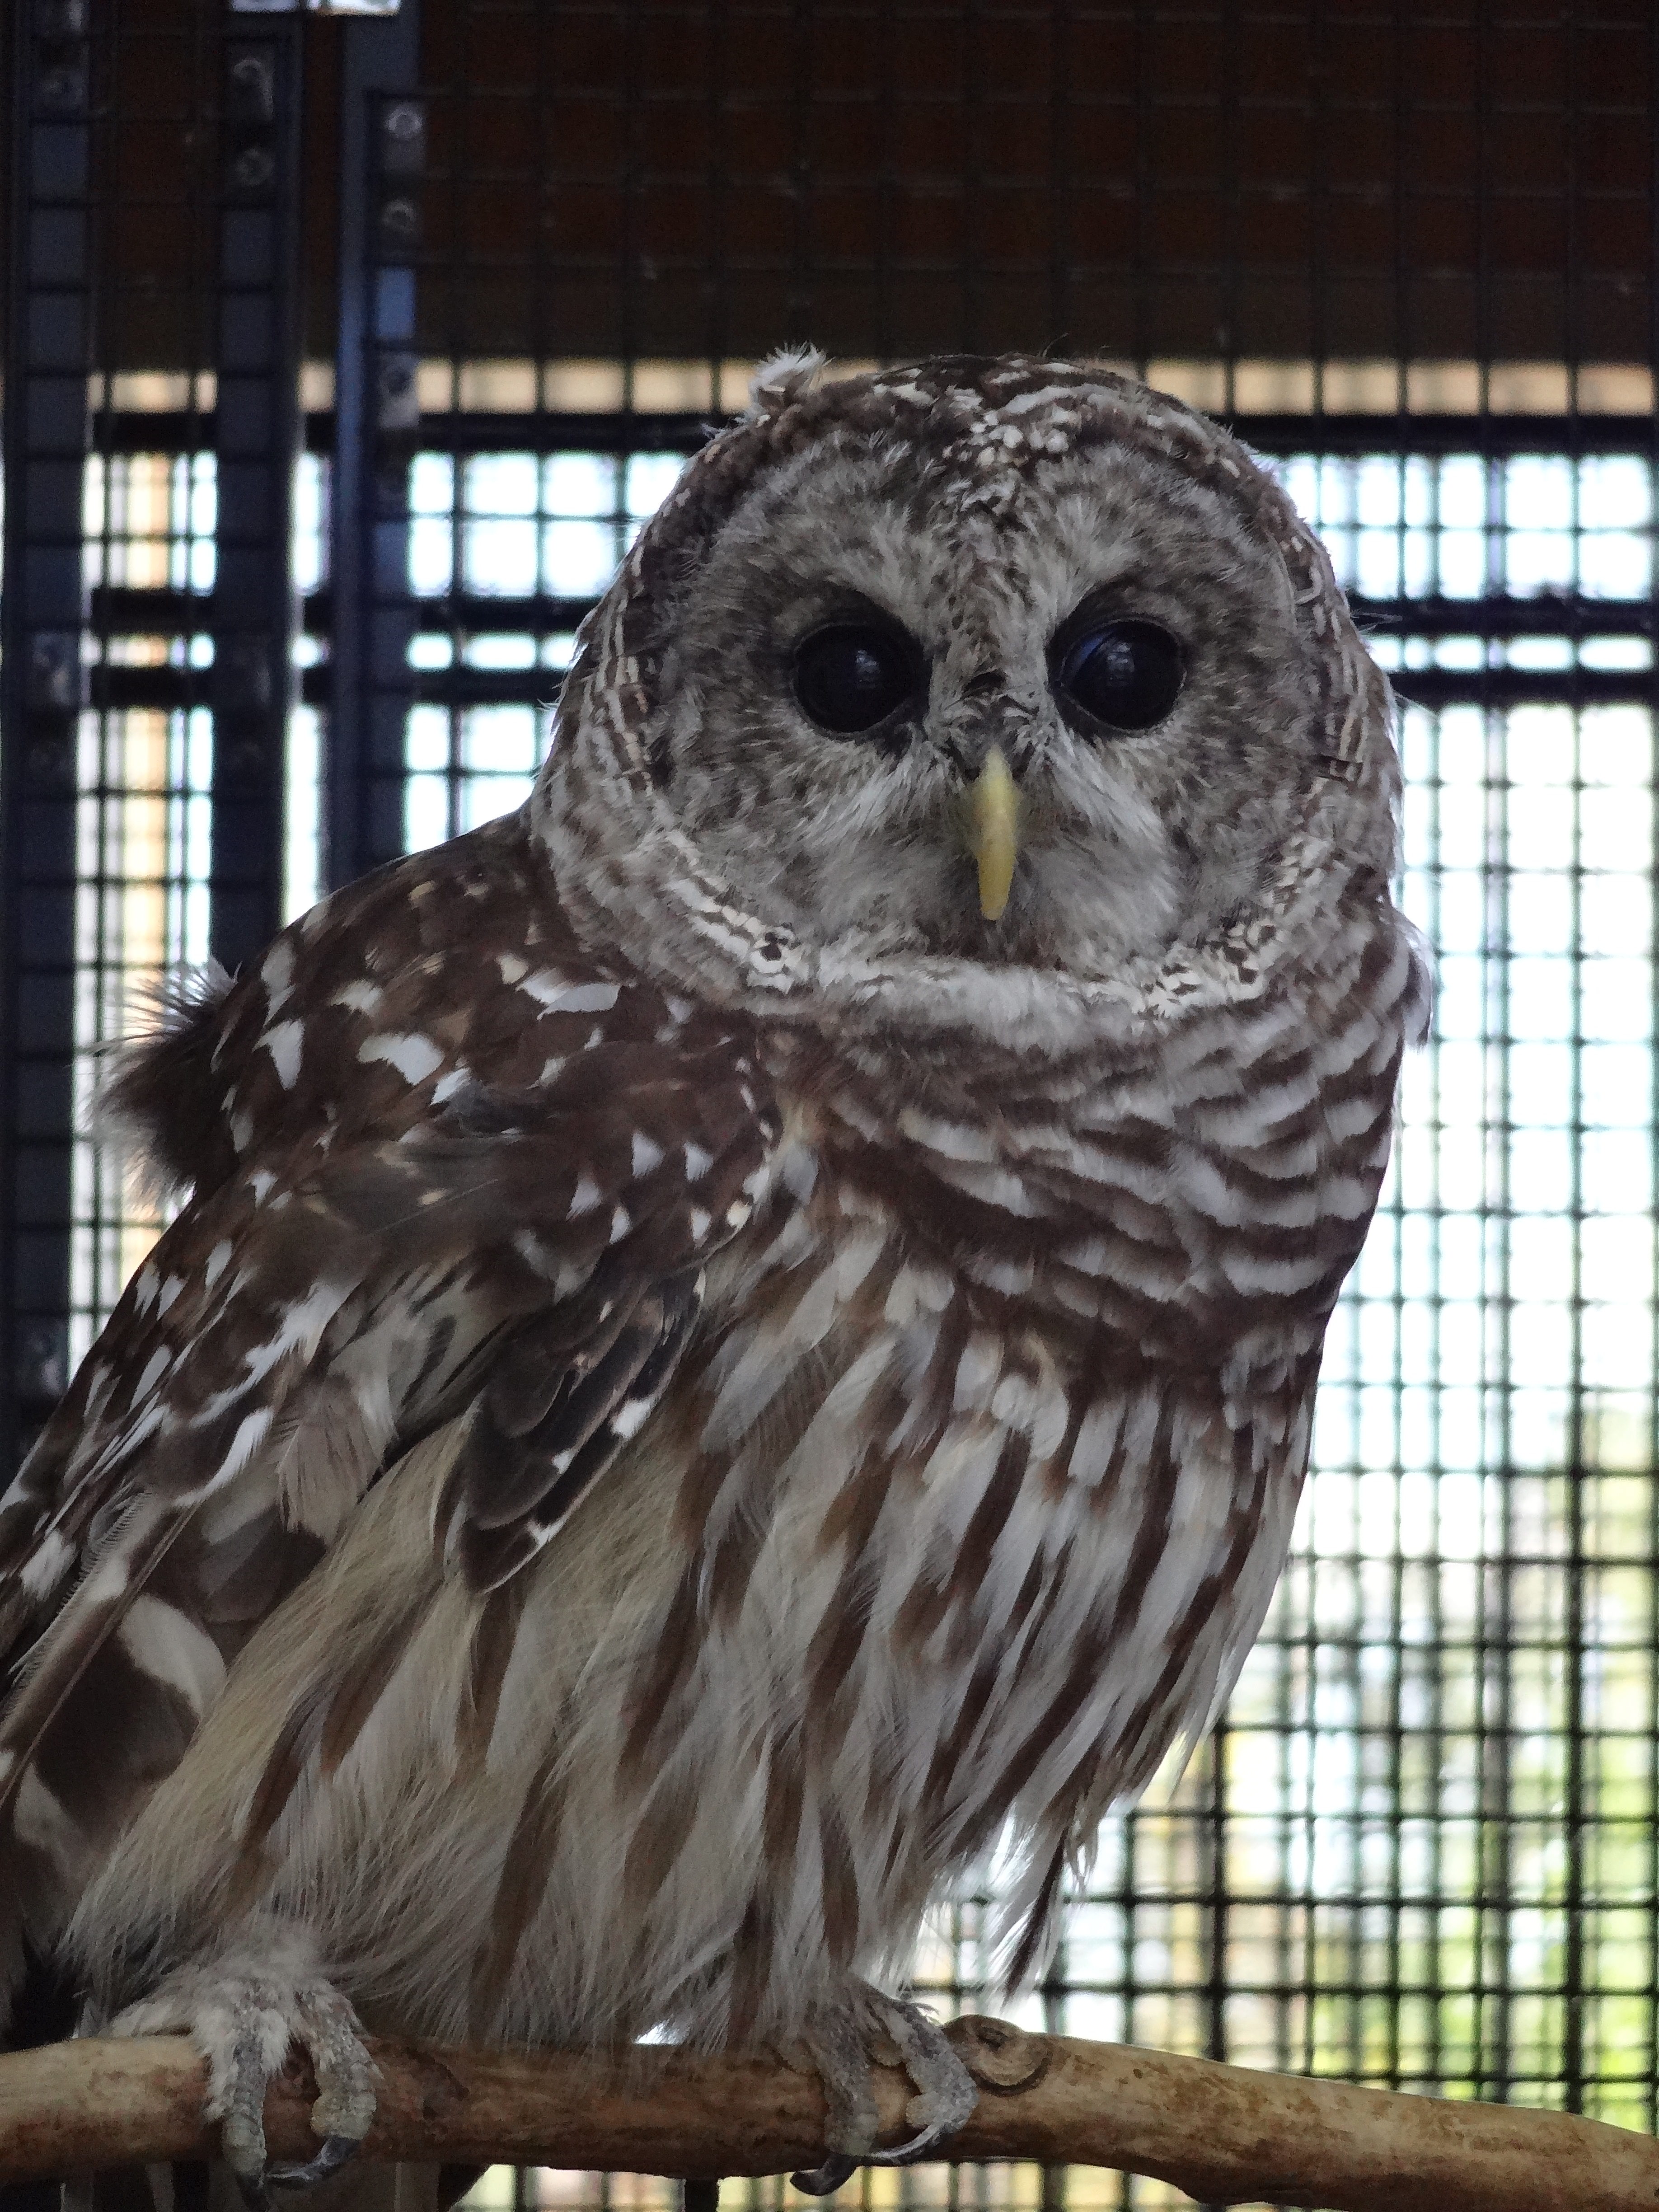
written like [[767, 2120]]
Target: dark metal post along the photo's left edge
[[41, 696]]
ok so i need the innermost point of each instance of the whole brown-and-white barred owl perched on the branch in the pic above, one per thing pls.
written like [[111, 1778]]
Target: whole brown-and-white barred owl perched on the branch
[[747, 1335]]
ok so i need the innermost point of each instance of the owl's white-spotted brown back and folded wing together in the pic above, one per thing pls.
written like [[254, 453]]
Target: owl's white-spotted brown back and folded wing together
[[497, 1193]]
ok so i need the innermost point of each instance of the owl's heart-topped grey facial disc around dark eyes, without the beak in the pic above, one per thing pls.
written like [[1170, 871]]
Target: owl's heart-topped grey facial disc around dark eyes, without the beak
[[848, 658]]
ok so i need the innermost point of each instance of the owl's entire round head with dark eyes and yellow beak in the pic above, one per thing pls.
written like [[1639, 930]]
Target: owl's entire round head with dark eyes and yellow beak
[[979, 691]]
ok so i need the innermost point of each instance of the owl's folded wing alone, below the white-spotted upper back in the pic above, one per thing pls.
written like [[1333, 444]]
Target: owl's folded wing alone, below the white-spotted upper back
[[532, 1255]]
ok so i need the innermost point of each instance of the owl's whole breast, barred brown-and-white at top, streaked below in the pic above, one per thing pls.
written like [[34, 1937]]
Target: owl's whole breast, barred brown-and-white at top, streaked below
[[988, 1452]]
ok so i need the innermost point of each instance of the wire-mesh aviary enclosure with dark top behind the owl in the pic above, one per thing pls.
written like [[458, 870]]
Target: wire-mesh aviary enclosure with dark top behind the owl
[[346, 353]]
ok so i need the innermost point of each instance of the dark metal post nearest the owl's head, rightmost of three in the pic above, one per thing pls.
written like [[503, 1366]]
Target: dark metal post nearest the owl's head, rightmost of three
[[377, 408]]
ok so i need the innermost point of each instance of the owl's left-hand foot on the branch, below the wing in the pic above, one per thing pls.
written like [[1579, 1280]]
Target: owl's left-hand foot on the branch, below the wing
[[242, 2012]]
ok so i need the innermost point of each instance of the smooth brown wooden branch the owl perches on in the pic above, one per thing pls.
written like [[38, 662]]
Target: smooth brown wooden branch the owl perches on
[[1222, 2133]]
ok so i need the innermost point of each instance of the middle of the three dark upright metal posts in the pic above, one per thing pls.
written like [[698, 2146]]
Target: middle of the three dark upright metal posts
[[255, 612]]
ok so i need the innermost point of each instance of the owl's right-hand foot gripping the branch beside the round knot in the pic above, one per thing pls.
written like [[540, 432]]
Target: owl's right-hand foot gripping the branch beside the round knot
[[844, 2047]]
